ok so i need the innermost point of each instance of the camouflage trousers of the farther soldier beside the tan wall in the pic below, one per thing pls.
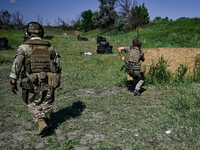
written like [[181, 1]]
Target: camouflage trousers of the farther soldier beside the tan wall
[[138, 78]]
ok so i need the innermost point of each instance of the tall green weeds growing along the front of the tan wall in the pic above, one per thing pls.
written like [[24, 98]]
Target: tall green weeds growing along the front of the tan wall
[[158, 74]]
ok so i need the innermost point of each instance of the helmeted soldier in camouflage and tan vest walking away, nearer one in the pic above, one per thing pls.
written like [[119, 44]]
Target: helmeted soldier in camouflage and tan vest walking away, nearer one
[[38, 64]]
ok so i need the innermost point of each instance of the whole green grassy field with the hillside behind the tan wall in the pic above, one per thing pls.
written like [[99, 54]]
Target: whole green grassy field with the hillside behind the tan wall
[[95, 109]]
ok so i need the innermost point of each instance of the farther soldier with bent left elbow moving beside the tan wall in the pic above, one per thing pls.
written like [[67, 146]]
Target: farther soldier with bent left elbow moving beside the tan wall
[[133, 64]]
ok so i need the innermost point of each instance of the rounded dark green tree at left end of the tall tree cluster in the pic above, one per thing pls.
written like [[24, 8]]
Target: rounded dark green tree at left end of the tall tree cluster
[[87, 23]]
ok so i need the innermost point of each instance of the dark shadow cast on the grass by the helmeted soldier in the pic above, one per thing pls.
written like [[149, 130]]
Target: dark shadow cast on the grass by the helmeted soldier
[[66, 113]]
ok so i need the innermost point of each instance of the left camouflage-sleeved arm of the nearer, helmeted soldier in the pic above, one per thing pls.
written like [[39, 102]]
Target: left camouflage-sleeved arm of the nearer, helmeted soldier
[[17, 64]]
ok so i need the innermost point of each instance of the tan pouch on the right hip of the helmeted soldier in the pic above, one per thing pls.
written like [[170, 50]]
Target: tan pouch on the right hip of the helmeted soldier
[[53, 80]]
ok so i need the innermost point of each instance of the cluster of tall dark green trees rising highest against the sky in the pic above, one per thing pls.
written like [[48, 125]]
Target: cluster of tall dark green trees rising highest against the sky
[[120, 15]]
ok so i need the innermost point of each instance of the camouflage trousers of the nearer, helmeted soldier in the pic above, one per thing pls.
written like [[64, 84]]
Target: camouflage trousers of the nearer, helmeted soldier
[[40, 103]]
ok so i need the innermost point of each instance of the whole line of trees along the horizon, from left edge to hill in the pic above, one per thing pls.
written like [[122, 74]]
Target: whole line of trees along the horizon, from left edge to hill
[[120, 15]]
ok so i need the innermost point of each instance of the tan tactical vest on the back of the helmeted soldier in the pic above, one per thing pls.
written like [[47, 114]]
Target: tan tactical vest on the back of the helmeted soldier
[[39, 59]]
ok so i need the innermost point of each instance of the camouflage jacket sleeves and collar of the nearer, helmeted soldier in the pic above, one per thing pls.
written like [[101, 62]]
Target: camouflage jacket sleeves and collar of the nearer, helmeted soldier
[[21, 53]]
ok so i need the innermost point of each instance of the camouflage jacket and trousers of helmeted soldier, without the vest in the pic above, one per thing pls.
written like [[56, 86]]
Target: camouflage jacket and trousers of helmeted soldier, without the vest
[[41, 98]]
